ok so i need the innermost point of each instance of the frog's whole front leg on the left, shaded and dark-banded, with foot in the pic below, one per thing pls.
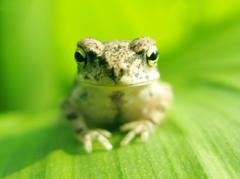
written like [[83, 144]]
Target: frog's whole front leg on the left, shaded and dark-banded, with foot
[[84, 134]]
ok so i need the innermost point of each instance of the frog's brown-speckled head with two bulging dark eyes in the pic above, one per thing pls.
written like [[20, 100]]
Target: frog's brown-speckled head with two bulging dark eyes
[[117, 62]]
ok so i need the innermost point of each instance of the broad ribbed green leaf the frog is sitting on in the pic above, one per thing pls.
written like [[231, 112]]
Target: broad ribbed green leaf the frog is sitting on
[[200, 138]]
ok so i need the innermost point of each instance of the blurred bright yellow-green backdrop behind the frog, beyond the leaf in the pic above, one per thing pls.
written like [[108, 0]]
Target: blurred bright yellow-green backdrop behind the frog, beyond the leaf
[[38, 39]]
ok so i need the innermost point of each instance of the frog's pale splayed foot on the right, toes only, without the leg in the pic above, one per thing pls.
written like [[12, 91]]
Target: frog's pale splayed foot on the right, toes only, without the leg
[[142, 128]]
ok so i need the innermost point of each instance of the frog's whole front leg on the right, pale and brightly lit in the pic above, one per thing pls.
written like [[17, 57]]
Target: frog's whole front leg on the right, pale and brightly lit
[[157, 98]]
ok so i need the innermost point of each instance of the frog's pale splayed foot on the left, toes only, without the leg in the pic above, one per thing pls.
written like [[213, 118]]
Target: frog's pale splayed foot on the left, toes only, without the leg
[[98, 134]]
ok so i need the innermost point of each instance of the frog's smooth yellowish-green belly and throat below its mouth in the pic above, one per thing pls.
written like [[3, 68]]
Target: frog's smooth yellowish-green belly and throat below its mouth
[[107, 106]]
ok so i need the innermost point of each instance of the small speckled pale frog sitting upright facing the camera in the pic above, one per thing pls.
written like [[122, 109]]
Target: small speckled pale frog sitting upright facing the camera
[[117, 86]]
